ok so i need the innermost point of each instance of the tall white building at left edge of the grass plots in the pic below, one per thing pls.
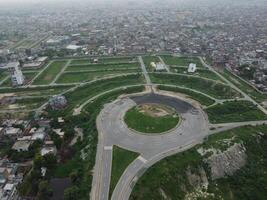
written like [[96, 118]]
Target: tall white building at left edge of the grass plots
[[17, 77]]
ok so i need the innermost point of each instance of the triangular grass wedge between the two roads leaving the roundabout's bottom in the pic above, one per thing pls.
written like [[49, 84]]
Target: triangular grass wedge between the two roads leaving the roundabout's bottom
[[121, 158]]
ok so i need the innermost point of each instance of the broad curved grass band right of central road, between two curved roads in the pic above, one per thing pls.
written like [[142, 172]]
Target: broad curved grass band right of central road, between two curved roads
[[212, 88]]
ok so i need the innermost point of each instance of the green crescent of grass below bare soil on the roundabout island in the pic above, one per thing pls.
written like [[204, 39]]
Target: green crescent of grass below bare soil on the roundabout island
[[145, 123]]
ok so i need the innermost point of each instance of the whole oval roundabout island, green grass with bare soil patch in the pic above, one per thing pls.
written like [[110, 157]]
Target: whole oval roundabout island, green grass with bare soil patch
[[151, 118]]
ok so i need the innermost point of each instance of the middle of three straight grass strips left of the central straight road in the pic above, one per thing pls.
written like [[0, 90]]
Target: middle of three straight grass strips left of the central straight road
[[102, 66]]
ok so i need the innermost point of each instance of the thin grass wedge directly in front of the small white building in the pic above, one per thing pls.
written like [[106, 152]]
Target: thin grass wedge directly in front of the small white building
[[205, 73]]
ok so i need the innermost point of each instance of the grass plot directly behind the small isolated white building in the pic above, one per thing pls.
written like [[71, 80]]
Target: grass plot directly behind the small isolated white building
[[181, 61]]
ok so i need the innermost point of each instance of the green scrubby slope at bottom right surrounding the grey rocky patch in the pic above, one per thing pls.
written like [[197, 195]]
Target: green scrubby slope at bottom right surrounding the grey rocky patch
[[169, 177]]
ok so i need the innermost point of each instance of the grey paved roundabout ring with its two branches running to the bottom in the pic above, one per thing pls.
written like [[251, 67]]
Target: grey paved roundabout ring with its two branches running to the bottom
[[113, 131]]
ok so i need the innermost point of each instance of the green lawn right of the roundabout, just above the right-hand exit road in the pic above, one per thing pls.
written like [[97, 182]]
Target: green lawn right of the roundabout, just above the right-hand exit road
[[235, 111]]
